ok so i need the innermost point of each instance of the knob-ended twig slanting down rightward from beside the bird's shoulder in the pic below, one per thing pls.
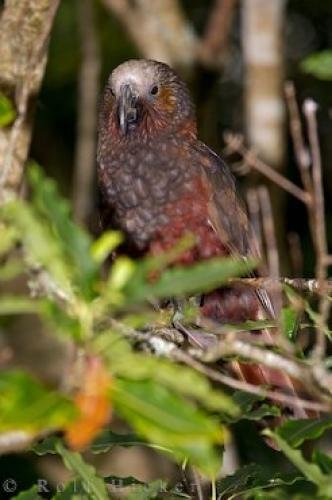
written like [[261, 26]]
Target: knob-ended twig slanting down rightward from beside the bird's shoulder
[[234, 144]]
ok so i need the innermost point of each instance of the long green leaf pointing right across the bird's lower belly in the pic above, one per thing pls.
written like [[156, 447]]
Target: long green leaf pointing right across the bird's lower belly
[[201, 277]]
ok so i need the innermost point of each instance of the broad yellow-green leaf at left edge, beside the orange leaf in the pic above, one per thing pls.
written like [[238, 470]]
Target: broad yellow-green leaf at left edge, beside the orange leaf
[[28, 406]]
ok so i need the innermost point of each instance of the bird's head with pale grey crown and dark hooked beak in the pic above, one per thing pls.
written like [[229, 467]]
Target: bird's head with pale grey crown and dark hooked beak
[[144, 98]]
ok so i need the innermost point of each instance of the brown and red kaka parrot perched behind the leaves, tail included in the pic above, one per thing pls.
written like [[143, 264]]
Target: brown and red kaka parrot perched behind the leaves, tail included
[[158, 182]]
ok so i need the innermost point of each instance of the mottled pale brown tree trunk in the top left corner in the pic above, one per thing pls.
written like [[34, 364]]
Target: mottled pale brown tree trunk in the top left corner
[[25, 26]]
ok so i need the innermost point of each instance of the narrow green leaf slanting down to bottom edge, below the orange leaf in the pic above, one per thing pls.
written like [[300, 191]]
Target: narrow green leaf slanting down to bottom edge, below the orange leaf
[[91, 482]]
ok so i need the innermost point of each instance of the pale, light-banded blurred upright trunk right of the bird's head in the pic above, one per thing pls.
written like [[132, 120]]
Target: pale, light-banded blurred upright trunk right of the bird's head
[[262, 26]]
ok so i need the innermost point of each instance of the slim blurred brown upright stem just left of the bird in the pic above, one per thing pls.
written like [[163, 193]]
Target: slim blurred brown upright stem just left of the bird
[[88, 84]]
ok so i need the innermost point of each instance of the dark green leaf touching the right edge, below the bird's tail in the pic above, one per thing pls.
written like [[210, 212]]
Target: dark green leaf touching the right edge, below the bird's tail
[[297, 431]]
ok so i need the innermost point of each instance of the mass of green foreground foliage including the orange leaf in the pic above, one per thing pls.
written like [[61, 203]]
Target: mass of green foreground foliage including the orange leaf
[[169, 407]]
